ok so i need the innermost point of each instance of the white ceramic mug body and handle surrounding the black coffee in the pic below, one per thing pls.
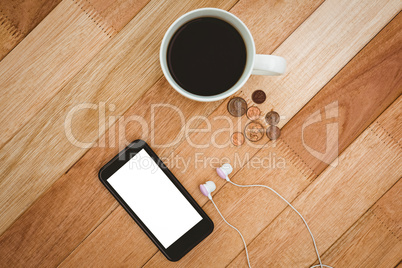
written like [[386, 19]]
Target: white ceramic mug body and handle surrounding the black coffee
[[255, 63]]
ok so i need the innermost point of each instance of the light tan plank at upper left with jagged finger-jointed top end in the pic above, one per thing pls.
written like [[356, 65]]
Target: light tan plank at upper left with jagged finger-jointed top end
[[45, 61]]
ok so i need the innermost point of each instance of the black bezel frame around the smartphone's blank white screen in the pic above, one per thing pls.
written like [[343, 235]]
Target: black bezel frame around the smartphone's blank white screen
[[186, 242]]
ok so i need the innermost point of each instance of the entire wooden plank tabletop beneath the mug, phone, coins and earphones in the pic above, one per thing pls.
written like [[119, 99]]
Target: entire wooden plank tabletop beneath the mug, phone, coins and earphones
[[80, 79]]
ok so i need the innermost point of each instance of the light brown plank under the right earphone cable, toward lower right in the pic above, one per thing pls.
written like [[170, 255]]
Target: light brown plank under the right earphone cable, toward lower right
[[331, 204]]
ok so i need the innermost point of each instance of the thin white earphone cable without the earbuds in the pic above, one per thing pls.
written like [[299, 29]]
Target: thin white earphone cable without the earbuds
[[290, 205]]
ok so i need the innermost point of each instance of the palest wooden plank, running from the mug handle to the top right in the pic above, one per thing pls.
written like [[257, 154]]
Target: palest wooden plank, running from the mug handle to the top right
[[319, 48]]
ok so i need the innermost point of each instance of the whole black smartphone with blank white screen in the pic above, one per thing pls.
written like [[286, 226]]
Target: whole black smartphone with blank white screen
[[156, 200]]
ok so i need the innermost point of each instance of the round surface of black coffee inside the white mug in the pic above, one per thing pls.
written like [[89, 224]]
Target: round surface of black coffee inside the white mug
[[206, 56]]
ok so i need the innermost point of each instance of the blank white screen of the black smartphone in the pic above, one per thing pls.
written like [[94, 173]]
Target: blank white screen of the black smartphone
[[154, 198]]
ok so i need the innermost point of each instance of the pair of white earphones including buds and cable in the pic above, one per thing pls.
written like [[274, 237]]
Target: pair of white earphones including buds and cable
[[223, 172]]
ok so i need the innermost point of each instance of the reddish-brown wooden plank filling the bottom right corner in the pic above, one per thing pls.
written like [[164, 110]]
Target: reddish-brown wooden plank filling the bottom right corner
[[374, 240]]
